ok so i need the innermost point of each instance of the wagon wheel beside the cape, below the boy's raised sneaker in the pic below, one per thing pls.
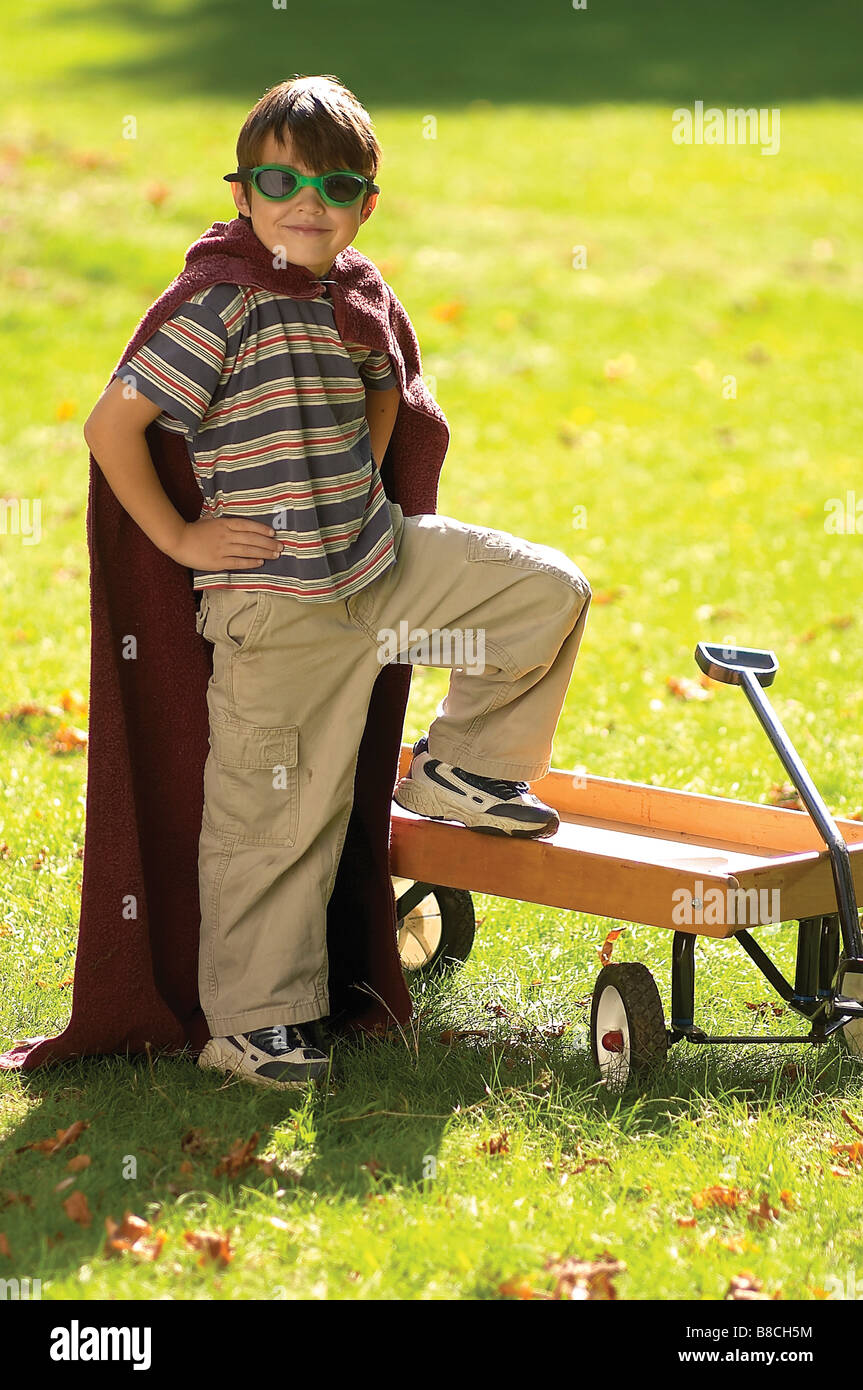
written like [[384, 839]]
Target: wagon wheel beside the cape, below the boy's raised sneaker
[[436, 928]]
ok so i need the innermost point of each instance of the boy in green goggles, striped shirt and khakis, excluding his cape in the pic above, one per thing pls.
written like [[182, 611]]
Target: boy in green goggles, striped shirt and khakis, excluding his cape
[[306, 569]]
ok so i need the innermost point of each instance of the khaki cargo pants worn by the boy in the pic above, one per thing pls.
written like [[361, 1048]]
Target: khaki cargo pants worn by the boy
[[288, 703]]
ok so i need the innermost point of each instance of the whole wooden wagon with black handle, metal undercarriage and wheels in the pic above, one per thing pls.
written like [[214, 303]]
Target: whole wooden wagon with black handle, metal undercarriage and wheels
[[654, 856]]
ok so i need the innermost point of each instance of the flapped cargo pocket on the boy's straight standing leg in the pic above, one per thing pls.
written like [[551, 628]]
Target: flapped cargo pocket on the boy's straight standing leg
[[252, 783]]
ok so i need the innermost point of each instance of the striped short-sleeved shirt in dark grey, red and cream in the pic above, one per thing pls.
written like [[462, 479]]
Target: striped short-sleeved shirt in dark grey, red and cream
[[272, 405]]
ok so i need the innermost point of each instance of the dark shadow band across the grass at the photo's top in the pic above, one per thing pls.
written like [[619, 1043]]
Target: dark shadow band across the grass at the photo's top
[[451, 55]]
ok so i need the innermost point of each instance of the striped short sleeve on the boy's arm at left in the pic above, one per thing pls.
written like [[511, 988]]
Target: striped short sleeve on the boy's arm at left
[[180, 366]]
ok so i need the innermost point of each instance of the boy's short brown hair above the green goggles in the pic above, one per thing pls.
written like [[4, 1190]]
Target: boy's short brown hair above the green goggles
[[327, 126]]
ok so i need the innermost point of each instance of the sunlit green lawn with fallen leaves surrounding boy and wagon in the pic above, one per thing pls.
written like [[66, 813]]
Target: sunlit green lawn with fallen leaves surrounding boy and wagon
[[707, 515]]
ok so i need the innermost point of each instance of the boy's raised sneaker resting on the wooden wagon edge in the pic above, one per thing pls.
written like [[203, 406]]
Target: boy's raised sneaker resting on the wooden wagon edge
[[500, 808]]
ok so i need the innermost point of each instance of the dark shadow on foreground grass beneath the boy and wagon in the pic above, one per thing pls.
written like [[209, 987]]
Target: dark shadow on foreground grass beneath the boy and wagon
[[375, 1129]]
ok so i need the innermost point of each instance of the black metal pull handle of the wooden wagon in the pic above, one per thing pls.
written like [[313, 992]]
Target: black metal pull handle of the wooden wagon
[[753, 669]]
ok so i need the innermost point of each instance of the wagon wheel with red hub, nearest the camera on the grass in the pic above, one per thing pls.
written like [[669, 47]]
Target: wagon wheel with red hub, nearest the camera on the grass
[[627, 1024]]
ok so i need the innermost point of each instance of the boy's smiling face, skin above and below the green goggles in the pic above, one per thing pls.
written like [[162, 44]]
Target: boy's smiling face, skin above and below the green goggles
[[305, 230]]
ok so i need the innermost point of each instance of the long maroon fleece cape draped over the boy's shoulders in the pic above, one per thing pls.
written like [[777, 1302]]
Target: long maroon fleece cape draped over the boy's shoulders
[[137, 965]]
